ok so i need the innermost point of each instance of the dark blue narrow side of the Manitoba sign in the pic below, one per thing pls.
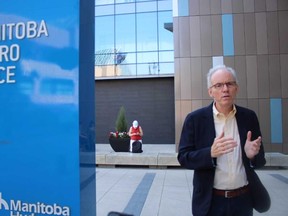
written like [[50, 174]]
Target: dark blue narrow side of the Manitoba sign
[[87, 109]]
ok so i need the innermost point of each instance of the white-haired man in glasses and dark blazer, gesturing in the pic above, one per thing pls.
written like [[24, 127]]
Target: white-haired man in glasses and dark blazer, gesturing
[[222, 144]]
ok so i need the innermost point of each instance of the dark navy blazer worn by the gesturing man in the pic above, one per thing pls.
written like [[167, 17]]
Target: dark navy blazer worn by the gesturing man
[[194, 153]]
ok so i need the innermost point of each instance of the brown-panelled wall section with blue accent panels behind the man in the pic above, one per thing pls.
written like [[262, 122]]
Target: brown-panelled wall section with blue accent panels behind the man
[[248, 35]]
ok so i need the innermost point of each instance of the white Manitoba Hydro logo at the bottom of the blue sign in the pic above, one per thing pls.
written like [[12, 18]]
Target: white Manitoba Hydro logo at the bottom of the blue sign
[[20, 208]]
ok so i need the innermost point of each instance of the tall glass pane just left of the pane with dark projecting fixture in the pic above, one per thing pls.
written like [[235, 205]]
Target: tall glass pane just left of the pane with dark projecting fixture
[[147, 32]]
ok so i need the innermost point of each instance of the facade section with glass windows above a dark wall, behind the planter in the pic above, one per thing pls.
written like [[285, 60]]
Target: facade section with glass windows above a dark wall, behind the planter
[[134, 67]]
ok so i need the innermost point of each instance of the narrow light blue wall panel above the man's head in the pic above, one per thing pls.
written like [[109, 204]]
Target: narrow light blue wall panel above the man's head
[[228, 35]]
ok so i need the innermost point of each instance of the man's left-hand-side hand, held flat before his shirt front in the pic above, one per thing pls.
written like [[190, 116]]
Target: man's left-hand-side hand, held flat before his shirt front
[[222, 145]]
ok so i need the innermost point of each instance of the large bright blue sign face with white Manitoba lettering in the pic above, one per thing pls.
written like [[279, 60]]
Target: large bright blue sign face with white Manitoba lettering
[[39, 94]]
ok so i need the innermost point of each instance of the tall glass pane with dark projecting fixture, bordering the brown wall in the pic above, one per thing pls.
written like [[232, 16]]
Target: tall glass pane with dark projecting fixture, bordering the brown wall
[[165, 36]]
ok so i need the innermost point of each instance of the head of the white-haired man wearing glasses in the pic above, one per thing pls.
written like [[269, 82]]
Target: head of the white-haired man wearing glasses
[[222, 86]]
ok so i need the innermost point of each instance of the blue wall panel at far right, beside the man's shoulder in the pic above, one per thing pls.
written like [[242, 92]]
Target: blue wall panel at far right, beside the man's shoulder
[[276, 120]]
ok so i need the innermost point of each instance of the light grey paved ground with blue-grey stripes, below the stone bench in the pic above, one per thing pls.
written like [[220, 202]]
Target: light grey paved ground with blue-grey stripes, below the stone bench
[[167, 192]]
